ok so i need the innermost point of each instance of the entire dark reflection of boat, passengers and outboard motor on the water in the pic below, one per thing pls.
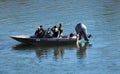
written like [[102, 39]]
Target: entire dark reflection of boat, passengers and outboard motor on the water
[[57, 52]]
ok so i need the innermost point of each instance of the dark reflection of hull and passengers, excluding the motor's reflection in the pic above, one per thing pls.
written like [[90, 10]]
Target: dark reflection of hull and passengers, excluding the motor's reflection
[[43, 51]]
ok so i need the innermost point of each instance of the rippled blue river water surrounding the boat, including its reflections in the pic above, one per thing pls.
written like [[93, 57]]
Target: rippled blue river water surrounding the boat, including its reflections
[[24, 16]]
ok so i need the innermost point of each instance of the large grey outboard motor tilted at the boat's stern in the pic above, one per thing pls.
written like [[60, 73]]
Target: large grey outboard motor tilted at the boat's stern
[[81, 30]]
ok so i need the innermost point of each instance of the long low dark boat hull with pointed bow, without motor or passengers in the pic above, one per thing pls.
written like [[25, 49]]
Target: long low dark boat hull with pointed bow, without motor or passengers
[[64, 40]]
